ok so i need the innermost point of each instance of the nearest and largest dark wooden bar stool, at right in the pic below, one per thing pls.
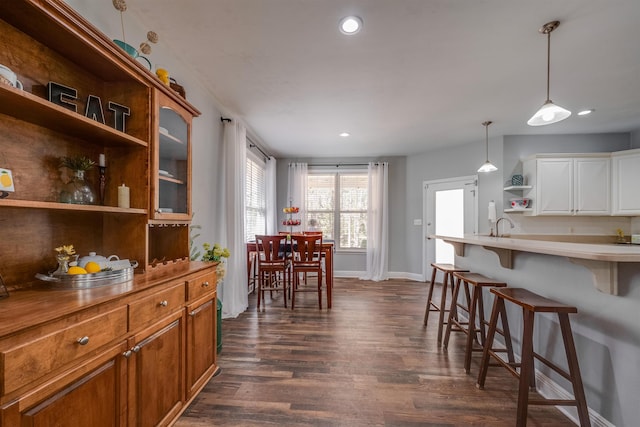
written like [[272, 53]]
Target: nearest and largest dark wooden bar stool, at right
[[531, 304]]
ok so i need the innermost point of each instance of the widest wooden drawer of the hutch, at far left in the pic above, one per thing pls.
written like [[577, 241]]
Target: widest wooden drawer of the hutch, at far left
[[26, 363]]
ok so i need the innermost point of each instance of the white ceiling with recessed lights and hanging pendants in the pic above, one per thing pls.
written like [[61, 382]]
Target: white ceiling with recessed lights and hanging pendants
[[422, 74]]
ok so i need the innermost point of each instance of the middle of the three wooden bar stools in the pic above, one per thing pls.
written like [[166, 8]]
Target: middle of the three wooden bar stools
[[474, 308]]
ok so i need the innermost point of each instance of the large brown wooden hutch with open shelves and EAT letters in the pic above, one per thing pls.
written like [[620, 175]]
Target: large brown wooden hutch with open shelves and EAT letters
[[133, 353]]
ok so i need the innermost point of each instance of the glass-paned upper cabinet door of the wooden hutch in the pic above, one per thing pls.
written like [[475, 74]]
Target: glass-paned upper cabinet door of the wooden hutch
[[171, 177]]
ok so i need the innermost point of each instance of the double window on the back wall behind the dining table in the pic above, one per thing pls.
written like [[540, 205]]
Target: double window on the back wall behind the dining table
[[337, 205]]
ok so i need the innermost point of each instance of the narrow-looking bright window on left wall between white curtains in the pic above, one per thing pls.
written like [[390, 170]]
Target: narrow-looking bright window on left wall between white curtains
[[255, 197]]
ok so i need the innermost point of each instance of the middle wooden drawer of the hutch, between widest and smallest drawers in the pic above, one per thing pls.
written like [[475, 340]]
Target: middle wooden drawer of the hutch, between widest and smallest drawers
[[156, 306]]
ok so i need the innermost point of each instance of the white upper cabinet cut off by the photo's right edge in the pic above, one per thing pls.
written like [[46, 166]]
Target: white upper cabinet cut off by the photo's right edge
[[626, 176]]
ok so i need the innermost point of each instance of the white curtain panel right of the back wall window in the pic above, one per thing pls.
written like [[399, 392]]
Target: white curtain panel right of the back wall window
[[378, 223]]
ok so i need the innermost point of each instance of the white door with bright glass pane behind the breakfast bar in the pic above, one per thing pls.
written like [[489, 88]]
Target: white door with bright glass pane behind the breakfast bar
[[450, 209]]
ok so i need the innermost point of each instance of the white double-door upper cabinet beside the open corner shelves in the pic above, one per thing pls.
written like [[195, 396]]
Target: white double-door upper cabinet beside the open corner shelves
[[569, 185]]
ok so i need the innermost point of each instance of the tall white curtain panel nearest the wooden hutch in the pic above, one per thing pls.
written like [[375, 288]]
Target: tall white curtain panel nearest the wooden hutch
[[234, 289]]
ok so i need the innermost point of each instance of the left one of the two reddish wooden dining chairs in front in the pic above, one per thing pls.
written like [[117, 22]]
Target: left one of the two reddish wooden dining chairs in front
[[273, 266]]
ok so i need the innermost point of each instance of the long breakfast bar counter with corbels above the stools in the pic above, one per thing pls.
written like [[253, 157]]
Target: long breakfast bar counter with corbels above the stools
[[600, 254]]
